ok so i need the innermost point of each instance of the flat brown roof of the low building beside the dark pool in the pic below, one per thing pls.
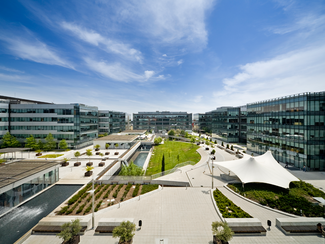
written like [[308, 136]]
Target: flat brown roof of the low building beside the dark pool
[[12, 172]]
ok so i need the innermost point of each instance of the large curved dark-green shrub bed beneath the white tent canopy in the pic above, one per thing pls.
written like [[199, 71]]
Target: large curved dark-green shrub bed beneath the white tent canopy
[[298, 197]]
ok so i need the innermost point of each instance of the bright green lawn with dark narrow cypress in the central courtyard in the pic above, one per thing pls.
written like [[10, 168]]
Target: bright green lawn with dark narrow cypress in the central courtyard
[[175, 153]]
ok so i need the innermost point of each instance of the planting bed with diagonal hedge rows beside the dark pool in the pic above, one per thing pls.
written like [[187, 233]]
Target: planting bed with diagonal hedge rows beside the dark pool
[[81, 203]]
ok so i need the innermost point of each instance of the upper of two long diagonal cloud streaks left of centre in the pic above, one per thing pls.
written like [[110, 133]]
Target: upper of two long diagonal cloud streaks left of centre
[[96, 39]]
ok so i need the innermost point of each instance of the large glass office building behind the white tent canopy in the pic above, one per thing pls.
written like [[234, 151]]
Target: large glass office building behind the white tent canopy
[[291, 127]]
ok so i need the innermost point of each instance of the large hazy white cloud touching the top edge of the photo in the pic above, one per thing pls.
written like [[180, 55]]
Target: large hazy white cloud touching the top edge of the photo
[[170, 21]]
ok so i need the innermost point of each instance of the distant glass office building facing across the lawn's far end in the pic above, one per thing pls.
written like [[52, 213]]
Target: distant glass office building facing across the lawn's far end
[[162, 121]]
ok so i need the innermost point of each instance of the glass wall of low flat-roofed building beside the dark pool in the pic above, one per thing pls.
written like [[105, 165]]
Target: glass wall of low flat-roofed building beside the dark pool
[[20, 193]]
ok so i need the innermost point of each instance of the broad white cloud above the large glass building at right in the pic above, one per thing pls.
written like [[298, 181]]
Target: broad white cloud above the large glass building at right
[[294, 72]]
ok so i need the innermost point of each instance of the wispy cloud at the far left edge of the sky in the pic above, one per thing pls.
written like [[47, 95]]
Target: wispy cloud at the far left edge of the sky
[[29, 48]]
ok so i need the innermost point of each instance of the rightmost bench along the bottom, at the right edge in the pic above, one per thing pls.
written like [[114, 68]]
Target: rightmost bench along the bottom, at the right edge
[[300, 225]]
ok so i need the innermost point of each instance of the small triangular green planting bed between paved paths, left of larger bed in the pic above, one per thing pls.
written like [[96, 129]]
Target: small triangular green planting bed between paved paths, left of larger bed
[[227, 208]]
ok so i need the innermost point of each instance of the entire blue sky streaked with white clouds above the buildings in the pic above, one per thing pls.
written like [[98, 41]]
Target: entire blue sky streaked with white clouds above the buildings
[[144, 55]]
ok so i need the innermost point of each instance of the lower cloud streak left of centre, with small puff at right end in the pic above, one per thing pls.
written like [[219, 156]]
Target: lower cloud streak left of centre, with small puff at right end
[[117, 72]]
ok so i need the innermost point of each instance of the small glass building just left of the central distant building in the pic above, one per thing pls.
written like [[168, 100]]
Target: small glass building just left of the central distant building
[[111, 122]]
